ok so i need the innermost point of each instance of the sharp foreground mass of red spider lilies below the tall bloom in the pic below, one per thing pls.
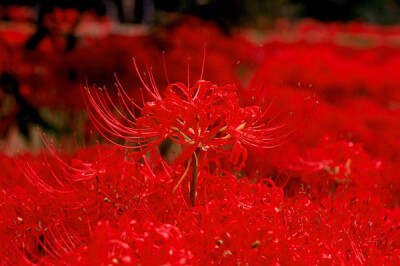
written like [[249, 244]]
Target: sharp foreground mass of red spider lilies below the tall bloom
[[70, 209]]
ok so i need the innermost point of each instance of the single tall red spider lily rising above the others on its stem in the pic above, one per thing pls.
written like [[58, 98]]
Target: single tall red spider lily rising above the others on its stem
[[198, 118]]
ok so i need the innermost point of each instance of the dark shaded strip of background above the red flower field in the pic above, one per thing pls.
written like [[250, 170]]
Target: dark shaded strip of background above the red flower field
[[234, 12]]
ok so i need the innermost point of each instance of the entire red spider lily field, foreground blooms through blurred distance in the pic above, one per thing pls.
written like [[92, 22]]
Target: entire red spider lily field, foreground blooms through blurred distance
[[207, 149]]
